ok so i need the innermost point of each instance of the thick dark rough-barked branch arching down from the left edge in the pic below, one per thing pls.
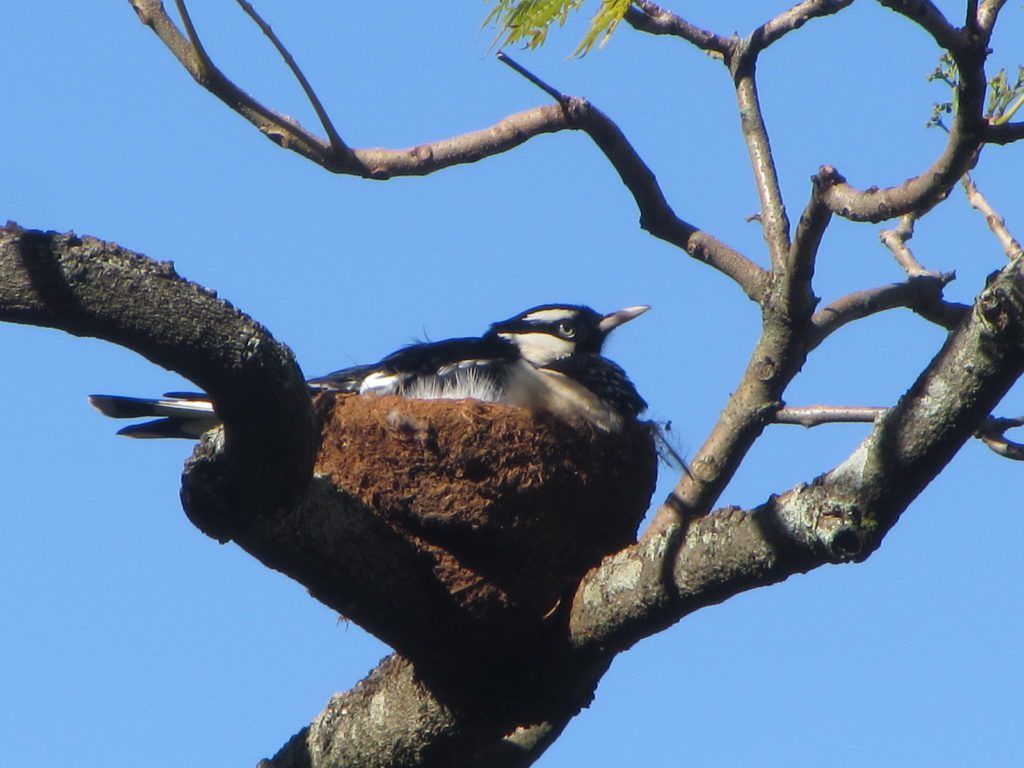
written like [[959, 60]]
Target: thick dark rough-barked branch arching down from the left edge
[[91, 288]]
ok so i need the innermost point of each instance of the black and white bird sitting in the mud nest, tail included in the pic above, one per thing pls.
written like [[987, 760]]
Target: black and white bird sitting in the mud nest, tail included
[[547, 359]]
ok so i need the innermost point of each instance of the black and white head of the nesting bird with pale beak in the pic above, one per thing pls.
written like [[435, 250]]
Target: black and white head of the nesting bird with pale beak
[[550, 332]]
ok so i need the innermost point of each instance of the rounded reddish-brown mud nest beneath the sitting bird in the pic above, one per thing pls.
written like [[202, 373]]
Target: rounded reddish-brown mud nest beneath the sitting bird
[[511, 507]]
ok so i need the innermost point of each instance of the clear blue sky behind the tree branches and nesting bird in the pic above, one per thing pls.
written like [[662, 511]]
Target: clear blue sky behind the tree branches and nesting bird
[[127, 638]]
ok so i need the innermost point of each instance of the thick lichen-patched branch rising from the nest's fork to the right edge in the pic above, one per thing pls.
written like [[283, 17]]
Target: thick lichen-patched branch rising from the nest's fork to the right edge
[[842, 516]]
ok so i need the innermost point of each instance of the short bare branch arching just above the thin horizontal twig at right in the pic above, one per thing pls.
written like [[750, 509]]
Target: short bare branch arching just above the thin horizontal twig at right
[[922, 293]]
